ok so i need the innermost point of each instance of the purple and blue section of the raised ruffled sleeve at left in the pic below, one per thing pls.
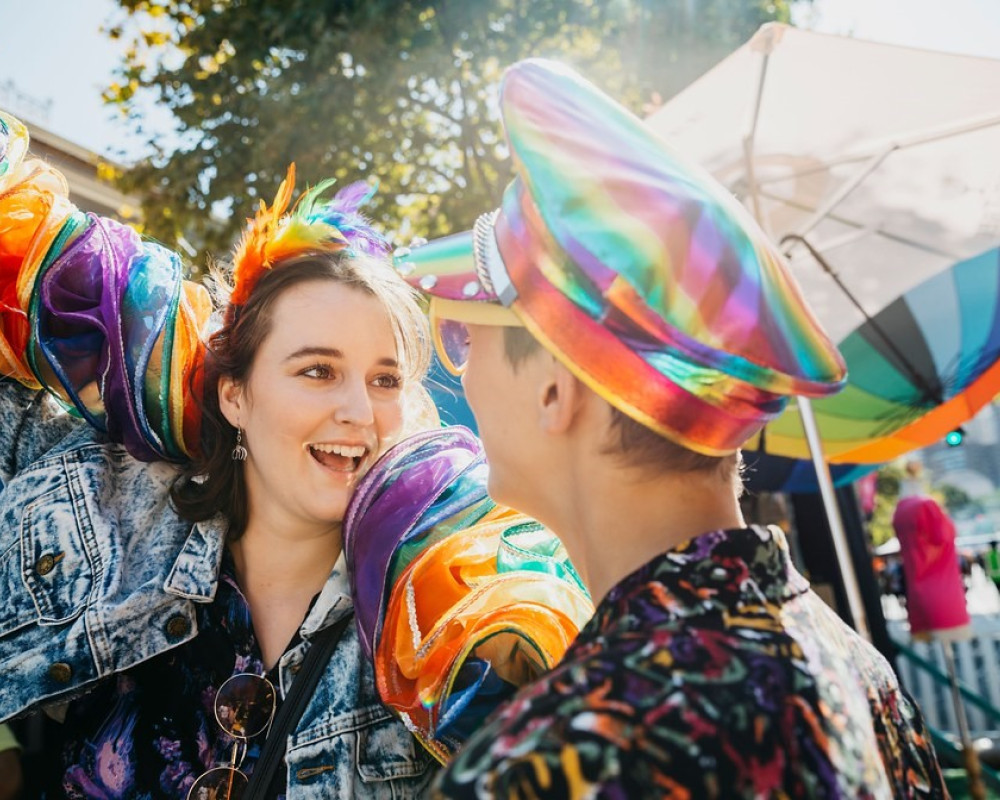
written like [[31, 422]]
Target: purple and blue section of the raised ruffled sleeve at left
[[103, 304]]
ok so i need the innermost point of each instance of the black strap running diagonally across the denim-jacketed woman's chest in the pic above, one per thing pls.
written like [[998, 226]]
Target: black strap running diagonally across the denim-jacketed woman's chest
[[265, 782]]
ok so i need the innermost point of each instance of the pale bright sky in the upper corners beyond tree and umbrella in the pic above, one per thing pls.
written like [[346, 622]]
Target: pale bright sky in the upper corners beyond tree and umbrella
[[54, 53]]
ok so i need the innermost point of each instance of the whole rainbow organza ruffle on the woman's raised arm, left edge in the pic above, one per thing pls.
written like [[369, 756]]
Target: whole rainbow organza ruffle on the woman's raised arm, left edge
[[98, 316]]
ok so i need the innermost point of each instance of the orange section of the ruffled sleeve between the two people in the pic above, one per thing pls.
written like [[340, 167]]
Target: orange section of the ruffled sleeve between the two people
[[456, 602]]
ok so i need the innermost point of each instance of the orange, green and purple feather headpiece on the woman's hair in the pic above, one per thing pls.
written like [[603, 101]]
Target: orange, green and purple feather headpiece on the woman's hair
[[316, 224]]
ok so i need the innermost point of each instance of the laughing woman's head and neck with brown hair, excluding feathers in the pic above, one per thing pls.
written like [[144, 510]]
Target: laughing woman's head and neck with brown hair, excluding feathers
[[307, 377]]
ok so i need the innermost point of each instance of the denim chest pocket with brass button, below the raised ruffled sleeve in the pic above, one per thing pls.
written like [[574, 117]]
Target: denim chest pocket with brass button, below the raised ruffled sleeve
[[54, 560]]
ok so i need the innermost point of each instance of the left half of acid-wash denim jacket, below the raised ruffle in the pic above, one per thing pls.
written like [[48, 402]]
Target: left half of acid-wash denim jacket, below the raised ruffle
[[97, 571]]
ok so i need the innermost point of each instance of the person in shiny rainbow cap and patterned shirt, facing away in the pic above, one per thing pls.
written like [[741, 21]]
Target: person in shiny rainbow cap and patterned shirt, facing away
[[623, 326]]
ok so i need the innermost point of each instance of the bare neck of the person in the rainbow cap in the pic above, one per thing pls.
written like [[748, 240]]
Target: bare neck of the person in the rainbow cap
[[616, 520]]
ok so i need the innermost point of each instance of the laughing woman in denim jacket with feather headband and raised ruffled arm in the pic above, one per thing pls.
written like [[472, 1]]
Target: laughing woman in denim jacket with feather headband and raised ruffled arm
[[209, 603]]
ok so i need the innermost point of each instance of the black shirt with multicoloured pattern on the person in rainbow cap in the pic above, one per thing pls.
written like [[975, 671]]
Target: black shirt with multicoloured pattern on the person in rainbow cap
[[711, 672]]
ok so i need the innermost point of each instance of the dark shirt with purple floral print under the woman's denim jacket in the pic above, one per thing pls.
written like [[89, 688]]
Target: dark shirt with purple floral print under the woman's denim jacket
[[151, 731]]
